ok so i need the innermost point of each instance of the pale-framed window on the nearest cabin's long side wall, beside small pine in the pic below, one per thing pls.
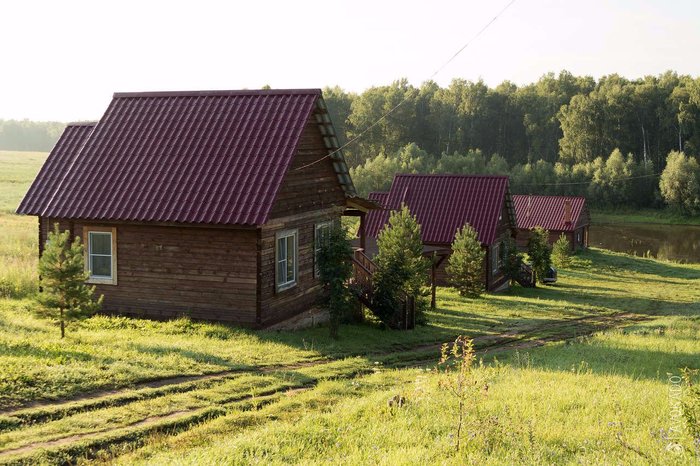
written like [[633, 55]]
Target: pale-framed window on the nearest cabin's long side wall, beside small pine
[[101, 256]]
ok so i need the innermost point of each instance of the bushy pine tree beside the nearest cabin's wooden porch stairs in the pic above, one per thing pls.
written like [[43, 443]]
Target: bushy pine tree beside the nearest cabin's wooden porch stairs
[[401, 267]]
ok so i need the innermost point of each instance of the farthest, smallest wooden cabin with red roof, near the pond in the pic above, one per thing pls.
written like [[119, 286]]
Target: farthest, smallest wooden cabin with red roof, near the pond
[[558, 214]]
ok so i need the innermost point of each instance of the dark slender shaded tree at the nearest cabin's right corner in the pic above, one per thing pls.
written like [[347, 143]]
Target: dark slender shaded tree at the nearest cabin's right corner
[[335, 269]]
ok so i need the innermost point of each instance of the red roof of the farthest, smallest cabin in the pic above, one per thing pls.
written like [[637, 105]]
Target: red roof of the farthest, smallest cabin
[[547, 211]]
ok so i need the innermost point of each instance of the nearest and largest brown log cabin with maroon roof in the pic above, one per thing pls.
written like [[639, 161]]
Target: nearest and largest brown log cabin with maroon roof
[[207, 204]]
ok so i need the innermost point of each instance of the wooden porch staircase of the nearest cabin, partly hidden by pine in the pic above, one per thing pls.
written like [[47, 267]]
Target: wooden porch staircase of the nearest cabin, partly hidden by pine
[[362, 285]]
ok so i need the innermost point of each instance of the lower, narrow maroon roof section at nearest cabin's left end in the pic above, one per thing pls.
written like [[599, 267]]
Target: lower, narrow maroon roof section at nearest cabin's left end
[[51, 173]]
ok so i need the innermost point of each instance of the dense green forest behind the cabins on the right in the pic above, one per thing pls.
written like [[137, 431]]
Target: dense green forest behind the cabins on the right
[[608, 139]]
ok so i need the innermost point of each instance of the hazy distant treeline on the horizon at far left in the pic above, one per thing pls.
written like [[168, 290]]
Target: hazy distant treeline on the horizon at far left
[[29, 135]]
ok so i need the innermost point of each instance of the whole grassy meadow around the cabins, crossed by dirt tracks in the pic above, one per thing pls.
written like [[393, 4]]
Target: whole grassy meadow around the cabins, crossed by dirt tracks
[[578, 372]]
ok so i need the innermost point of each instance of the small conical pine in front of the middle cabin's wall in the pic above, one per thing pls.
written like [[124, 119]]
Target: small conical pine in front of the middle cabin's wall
[[465, 267]]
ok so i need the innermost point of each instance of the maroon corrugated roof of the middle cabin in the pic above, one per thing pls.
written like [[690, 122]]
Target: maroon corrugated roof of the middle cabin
[[444, 203]]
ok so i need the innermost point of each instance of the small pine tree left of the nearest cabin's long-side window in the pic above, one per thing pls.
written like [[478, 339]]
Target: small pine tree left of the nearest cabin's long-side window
[[63, 276]]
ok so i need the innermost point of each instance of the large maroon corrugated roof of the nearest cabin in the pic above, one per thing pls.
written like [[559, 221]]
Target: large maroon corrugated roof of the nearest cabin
[[215, 157]]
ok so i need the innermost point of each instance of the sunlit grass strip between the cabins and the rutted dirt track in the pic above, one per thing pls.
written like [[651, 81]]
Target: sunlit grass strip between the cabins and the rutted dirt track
[[111, 352]]
